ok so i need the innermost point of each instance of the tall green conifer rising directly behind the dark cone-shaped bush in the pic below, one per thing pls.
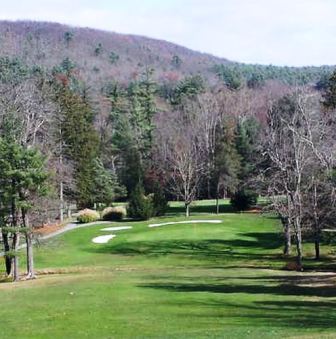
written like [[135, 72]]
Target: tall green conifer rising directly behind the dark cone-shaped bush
[[131, 116]]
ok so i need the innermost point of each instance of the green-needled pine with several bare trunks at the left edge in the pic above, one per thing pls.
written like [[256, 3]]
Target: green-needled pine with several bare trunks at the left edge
[[22, 177]]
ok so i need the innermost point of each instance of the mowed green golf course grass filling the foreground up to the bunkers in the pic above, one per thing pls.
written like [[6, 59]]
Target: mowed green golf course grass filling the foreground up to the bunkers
[[178, 281]]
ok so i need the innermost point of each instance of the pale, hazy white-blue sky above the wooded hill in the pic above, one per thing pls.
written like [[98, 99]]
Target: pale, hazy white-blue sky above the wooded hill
[[278, 32]]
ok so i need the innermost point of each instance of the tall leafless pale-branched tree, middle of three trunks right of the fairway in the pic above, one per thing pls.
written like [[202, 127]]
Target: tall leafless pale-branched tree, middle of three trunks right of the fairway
[[290, 155]]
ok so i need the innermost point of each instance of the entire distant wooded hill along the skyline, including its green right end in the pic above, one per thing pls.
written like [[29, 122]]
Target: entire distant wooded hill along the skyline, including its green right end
[[100, 56]]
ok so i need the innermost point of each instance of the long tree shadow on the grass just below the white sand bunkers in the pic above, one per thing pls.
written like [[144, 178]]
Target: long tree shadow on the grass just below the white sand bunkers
[[206, 250]]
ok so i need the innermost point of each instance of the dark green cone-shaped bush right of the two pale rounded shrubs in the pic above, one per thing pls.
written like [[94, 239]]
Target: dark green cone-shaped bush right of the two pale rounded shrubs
[[140, 207]]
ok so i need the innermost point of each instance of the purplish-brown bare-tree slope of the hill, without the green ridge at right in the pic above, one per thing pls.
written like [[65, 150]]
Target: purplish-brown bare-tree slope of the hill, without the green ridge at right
[[100, 55]]
